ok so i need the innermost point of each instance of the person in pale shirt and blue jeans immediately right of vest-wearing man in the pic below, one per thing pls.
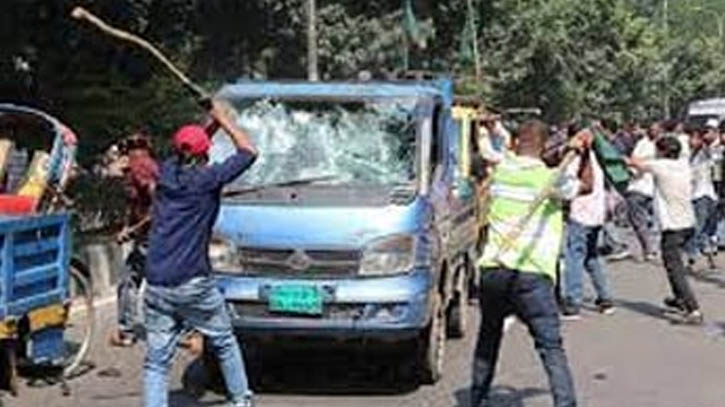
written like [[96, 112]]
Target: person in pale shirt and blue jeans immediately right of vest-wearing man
[[586, 217]]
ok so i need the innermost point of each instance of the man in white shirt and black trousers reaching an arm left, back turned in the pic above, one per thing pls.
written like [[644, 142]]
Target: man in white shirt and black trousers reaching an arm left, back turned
[[673, 206]]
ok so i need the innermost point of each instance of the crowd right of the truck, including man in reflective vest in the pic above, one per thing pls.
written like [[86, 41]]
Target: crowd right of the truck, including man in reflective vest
[[560, 181]]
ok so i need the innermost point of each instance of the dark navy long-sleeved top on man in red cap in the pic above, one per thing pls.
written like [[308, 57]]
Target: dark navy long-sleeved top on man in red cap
[[186, 204]]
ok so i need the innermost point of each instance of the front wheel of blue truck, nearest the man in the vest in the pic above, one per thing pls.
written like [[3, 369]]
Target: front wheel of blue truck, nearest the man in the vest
[[432, 345]]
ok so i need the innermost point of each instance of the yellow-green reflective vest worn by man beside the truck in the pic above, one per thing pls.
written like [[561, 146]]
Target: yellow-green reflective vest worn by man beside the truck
[[517, 181]]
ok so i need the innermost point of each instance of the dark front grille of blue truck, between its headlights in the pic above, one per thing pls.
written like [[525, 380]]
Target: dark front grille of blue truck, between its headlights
[[300, 263]]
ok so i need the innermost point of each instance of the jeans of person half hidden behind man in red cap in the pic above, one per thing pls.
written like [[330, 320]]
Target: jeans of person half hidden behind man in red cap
[[128, 288]]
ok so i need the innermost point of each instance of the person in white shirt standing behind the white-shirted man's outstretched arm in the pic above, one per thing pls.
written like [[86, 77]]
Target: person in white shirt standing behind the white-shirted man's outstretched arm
[[640, 194]]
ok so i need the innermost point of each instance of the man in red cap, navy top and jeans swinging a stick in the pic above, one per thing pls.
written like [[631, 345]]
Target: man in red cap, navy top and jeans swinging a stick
[[182, 295]]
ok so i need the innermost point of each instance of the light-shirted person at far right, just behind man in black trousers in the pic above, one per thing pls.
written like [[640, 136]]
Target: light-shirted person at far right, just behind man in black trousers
[[704, 197]]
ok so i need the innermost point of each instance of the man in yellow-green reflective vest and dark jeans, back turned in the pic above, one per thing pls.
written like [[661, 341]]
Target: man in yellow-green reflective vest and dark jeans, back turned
[[519, 268]]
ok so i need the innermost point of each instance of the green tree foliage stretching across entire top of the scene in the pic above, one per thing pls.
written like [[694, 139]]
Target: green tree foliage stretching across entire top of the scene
[[612, 58]]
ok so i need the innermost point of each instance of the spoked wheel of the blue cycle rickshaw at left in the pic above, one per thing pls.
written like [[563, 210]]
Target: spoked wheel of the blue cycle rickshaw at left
[[81, 322]]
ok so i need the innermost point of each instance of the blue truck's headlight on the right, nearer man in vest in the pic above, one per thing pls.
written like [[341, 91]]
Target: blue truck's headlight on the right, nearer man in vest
[[389, 255]]
